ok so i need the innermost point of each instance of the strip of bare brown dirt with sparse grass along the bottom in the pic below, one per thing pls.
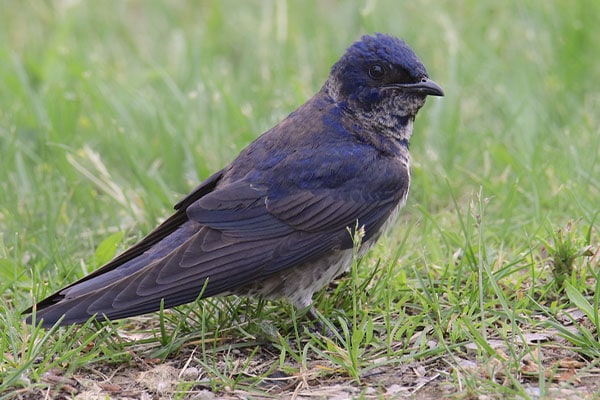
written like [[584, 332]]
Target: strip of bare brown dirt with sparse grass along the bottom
[[551, 371]]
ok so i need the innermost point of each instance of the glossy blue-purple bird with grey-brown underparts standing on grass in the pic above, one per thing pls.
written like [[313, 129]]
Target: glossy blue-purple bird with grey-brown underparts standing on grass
[[278, 221]]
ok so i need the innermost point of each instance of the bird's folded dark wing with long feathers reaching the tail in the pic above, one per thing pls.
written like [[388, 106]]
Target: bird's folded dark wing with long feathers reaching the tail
[[236, 234]]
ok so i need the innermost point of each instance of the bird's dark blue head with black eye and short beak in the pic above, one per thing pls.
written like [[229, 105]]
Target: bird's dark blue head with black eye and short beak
[[381, 78]]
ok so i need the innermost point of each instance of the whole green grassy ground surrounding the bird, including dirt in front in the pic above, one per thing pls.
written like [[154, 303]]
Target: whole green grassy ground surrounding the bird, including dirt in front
[[111, 111]]
